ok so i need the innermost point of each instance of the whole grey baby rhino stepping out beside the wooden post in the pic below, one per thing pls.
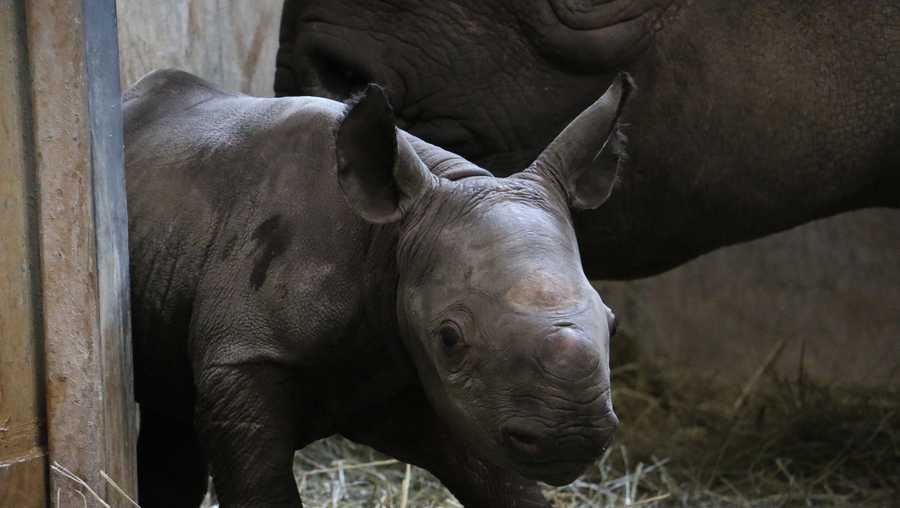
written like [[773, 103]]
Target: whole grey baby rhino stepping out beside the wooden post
[[302, 268]]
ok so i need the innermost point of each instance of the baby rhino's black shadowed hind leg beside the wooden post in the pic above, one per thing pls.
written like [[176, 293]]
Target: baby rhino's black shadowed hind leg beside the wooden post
[[171, 466]]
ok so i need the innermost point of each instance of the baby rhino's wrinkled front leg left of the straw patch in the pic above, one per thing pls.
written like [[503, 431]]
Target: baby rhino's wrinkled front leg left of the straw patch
[[245, 419]]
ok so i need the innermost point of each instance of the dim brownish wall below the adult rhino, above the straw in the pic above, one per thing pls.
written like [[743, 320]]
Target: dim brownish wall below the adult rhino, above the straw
[[830, 290]]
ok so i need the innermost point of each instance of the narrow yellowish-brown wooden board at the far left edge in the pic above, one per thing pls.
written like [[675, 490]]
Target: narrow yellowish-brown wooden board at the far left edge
[[23, 456]]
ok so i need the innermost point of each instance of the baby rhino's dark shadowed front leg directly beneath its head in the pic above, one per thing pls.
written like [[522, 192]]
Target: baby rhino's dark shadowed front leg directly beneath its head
[[408, 429]]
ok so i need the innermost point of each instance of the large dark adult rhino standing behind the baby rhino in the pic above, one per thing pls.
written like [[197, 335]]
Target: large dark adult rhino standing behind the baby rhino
[[753, 117]]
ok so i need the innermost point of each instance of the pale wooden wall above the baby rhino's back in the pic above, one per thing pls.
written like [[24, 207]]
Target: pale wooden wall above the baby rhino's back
[[231, 43]]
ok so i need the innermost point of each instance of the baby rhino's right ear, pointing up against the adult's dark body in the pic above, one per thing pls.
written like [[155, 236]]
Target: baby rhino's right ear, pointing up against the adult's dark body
[[584, 158]]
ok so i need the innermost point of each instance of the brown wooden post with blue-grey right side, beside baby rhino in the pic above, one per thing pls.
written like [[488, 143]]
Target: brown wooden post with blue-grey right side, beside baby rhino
[[78, 161]]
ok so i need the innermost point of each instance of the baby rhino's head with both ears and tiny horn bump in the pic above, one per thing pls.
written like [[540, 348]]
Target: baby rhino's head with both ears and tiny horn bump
[[509, 339]]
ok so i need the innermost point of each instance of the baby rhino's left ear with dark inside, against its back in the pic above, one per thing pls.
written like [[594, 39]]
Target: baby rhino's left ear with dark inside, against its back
[[378, 172]]
